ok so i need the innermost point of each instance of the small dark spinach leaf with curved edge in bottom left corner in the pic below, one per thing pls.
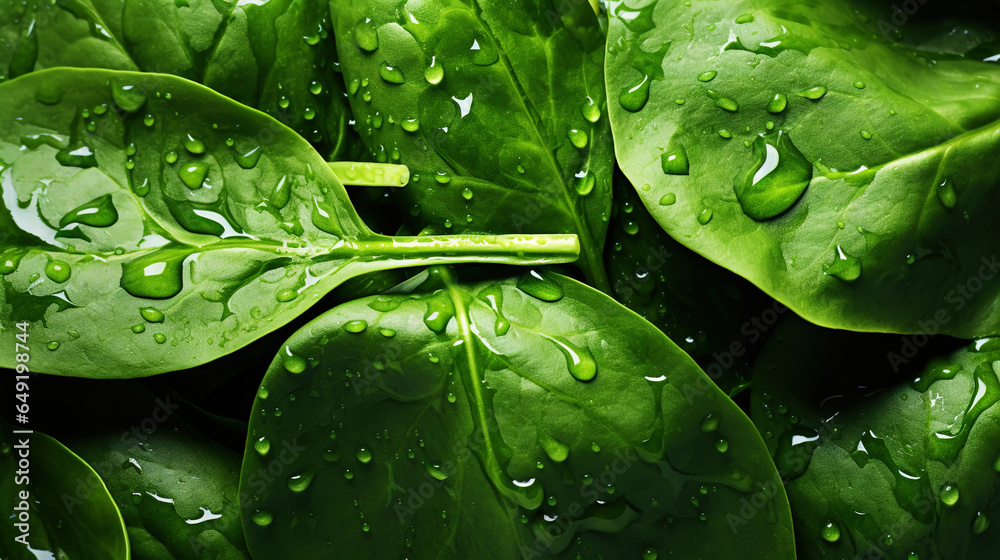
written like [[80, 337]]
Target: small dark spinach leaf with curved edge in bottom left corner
[[68, 512]]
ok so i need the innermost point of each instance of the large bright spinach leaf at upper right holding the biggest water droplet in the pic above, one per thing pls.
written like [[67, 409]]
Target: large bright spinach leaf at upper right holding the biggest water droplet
[[849, 177]]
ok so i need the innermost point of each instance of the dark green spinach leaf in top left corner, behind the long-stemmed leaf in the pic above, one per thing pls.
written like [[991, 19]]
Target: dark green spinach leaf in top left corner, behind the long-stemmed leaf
[[277, 56]]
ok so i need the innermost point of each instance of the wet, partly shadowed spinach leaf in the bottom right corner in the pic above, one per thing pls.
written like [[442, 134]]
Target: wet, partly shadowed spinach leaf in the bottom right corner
[[888, 442]]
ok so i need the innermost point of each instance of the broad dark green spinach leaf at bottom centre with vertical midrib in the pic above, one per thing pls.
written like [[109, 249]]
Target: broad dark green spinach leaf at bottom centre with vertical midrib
[[529, 417]]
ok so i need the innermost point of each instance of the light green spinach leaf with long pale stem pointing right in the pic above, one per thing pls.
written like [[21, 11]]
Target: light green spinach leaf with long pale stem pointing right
[[150, 224]]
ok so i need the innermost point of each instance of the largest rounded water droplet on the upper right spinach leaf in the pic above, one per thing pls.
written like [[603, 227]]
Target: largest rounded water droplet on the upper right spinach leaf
[[775, 181]]
